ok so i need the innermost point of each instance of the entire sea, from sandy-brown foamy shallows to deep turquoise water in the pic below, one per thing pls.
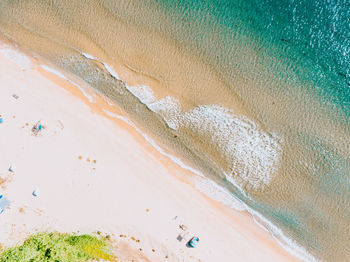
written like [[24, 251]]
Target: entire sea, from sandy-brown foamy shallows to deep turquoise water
[[255, 94]]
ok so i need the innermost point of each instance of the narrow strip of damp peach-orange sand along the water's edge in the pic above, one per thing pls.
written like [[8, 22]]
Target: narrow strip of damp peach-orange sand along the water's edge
[[170, 167]]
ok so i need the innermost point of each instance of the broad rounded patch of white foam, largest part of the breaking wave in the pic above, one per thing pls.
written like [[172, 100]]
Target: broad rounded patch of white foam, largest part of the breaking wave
[[252, 153]]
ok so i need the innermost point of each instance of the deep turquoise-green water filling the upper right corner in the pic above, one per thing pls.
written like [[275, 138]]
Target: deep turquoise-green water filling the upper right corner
[[311, 40]]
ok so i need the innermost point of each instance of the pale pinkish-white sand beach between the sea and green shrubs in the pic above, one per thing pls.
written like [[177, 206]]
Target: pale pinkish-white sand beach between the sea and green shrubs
[[94, 172]]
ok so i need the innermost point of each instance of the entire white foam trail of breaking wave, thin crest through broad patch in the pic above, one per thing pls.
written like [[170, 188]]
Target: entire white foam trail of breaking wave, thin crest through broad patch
[[253, 155]]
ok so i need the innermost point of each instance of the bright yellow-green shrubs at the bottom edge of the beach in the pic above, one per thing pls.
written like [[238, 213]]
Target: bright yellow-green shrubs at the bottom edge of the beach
[[56, 247]]
